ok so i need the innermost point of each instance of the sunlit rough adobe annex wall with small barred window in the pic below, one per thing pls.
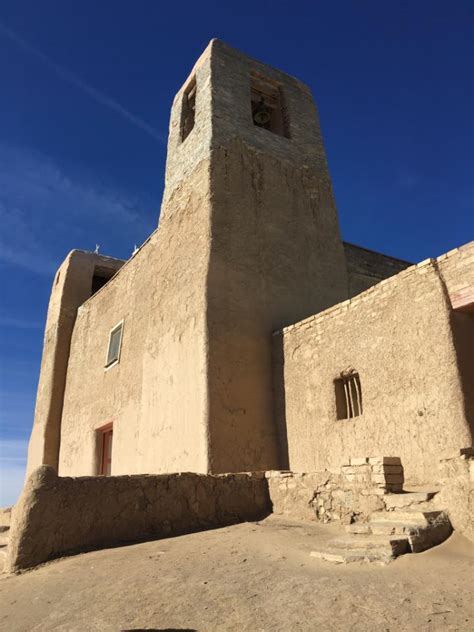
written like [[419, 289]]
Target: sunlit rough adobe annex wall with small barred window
[[398, 336]]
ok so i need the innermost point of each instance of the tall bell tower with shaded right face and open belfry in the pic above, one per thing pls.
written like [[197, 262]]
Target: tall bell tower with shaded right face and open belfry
[[247, 137]]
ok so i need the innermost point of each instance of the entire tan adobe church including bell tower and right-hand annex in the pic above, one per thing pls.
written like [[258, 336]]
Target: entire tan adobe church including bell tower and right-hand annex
[[245, 335]]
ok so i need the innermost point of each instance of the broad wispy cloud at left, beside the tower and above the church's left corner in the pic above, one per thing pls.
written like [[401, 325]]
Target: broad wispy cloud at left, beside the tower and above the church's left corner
[[40, 205]]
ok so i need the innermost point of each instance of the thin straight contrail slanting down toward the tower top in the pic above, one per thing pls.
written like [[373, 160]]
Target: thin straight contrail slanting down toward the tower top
[[74, 80]]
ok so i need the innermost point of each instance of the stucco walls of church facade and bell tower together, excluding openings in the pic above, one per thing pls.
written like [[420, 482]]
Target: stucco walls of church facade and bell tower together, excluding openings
[[248, 241]]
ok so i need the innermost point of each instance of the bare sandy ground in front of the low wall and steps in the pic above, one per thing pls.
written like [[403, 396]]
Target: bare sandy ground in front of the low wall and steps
[[248, 577]]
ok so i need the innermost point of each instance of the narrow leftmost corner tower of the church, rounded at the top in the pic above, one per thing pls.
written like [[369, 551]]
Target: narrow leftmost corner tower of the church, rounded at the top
[[72, 286]]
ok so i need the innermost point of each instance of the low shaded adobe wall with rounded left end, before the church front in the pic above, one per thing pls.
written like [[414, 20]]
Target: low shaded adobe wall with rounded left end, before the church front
[[60, 515]]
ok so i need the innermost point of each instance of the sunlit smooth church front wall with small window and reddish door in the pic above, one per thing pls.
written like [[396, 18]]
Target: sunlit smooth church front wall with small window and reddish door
[[156, 395]]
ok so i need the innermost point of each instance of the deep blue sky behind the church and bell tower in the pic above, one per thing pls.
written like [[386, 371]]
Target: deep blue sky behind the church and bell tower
[[86, 93]]
